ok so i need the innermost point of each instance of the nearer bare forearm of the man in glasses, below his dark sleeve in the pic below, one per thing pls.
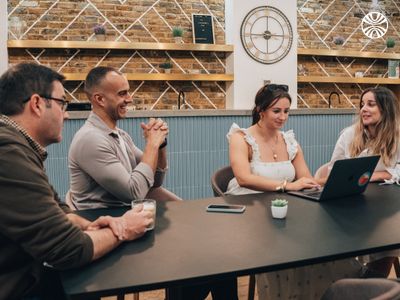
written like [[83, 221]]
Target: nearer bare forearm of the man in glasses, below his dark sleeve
[[103, 242]]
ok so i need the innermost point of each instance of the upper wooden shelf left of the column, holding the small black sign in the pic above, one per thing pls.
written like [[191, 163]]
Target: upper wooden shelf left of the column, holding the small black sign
[[15, 44]]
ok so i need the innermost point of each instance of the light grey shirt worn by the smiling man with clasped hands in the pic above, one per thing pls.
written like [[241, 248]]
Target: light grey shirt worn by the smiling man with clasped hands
[[102, 174]]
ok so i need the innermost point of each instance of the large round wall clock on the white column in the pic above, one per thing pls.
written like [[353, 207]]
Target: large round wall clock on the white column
[[266, 34]]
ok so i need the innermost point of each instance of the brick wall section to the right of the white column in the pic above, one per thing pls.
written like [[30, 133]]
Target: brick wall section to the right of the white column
[[319, 21]]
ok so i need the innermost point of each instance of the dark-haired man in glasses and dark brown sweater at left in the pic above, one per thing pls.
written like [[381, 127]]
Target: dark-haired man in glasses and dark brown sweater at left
[[35, 227]]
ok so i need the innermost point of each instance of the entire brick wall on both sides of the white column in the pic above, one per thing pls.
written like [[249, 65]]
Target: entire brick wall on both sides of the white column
[[319, 21]]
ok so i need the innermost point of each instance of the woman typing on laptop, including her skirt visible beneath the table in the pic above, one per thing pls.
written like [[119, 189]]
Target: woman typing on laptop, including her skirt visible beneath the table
[[264, 158]]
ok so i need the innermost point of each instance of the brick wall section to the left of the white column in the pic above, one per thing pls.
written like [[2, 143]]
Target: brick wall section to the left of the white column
[[128, 21]]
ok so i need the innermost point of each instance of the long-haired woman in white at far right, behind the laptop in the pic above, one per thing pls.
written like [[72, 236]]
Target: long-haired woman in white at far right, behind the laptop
[[375, 132]]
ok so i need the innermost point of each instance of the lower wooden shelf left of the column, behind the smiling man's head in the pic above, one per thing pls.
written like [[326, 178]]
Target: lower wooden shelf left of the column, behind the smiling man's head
[[161, 77]]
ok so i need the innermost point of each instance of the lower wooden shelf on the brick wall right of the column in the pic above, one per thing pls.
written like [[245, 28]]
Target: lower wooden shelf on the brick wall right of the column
[[333, 79]]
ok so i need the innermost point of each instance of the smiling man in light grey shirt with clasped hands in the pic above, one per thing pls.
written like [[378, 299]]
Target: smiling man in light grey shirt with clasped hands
[[106, 168]]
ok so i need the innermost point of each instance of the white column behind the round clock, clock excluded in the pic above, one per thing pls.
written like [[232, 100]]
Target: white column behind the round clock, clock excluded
[[249, 74]]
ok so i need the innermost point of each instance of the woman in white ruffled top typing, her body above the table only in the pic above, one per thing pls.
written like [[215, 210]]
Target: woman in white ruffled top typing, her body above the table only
[[263, 157]]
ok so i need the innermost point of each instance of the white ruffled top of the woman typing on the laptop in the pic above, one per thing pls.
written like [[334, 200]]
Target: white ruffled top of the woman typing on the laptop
[[280, 171]]
